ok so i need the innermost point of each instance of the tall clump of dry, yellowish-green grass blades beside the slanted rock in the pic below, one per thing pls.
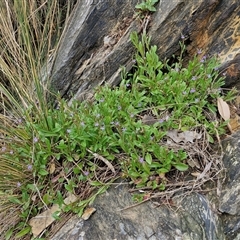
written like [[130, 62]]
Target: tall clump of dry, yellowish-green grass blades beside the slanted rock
[[29, 33]]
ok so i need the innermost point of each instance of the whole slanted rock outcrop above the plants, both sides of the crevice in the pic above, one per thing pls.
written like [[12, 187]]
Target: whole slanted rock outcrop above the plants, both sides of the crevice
[[96, 42]]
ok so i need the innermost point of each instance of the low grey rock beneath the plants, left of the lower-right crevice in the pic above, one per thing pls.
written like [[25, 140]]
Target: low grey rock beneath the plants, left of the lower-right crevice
[[194, 219]]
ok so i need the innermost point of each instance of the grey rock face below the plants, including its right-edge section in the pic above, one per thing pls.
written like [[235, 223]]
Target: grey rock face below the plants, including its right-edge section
[[190, 218]]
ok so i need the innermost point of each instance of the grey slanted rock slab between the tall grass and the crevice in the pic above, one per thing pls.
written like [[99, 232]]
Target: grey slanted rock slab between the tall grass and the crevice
[[95, 38]]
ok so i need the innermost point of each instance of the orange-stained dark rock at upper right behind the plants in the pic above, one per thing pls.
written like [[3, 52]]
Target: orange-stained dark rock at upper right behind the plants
[[212, 26]]
